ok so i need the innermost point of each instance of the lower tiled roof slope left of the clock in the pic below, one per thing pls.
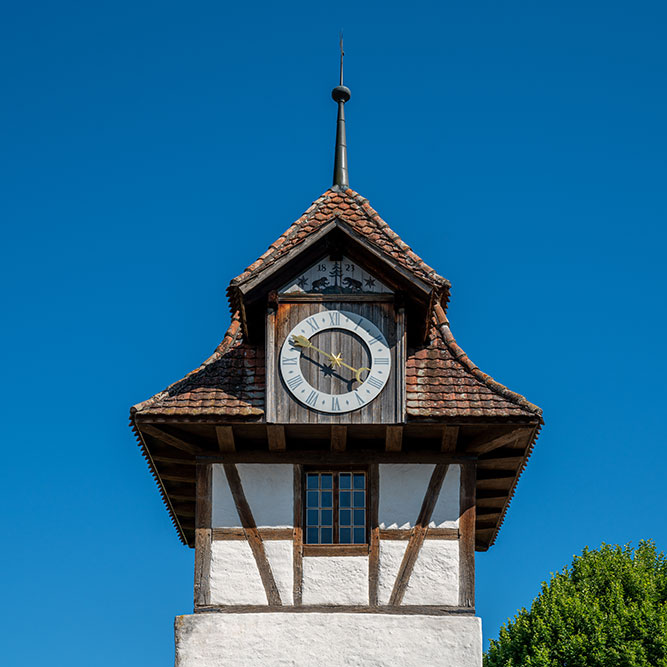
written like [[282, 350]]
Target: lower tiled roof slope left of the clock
[[230, 382]]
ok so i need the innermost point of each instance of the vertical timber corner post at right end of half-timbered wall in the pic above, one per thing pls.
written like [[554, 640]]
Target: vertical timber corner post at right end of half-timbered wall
[[467, 539]]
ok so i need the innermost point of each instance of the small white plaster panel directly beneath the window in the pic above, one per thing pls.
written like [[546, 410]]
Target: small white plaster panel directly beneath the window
[[335, 580]]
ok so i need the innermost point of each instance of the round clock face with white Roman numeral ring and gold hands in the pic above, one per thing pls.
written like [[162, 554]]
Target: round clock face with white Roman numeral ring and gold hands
[[335, 361]]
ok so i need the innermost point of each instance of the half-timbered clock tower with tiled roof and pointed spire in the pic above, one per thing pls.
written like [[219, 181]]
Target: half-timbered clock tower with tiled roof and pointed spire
[[338, 460]]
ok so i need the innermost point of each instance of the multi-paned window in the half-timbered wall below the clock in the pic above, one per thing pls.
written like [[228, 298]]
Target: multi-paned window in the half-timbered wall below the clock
[[336, 507]]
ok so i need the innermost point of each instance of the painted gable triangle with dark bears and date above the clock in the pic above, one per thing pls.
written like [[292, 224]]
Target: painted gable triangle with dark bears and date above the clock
[[335, 276]]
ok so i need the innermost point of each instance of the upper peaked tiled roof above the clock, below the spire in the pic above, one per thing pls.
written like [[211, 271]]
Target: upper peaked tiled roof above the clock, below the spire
[[354, 210]]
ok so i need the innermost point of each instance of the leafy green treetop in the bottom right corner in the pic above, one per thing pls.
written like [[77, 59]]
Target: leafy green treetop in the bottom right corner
[[608, 609]]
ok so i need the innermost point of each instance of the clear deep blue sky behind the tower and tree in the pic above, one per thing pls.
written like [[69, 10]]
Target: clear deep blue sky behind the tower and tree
[[153, 150]]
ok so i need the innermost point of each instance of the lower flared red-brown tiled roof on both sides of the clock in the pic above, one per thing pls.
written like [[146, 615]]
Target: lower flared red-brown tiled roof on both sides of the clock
[[441, 382]]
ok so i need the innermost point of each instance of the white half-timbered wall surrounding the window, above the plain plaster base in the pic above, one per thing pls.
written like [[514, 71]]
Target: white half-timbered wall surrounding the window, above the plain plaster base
[[256, 559]]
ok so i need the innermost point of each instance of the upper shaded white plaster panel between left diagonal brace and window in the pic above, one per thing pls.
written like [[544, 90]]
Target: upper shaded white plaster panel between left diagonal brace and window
[[269, 489]]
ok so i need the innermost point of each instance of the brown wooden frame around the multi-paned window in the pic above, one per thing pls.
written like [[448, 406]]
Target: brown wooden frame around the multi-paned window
[[336, 548]]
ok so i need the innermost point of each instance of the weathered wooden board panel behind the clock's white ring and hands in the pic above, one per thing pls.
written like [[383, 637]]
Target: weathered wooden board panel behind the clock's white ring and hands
[[386, 408]]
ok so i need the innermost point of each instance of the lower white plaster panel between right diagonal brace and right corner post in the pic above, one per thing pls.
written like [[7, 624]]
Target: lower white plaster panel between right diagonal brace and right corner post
[[435, 577]]
